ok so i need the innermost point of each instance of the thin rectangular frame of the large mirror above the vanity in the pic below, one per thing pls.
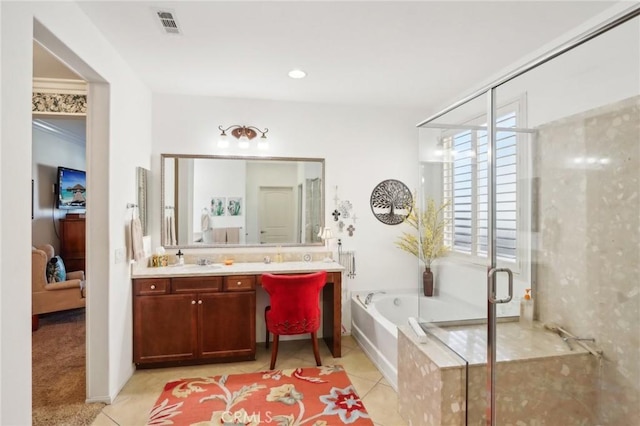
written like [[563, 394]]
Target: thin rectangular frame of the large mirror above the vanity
[[246, 158]]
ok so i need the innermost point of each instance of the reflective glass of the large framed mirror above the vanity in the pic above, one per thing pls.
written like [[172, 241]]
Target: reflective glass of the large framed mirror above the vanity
[[220, 201]]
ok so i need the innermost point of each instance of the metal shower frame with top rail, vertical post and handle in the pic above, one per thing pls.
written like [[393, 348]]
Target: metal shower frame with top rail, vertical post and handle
[[489, 91]]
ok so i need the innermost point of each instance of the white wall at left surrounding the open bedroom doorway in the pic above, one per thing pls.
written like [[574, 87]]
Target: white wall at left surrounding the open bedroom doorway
[[121, 120]]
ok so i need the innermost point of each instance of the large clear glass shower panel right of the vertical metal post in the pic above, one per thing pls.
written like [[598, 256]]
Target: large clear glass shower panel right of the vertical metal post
[[577, 235]]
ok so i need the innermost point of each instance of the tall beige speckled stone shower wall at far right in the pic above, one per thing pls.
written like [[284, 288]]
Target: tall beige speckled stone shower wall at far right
[[587, 263]]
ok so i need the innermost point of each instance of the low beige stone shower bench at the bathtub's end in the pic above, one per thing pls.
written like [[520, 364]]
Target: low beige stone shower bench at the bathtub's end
[[540, 380]]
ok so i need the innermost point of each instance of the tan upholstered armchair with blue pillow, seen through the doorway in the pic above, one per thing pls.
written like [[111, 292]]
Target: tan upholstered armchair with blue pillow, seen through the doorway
[[51, 297]]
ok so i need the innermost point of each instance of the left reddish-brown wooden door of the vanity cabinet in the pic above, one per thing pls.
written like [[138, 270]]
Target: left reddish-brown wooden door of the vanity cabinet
[[164, 328]]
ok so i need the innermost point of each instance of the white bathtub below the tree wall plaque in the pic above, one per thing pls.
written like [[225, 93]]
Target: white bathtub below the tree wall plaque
[[375, 327]]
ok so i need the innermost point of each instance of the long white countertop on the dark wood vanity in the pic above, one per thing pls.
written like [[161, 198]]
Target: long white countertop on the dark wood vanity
[[251, 268]]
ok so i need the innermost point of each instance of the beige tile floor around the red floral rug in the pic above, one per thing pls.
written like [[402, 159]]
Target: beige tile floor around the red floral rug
[[132, 405]]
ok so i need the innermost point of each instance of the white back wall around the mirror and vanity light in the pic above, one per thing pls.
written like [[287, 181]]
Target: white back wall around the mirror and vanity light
[[362, 147]]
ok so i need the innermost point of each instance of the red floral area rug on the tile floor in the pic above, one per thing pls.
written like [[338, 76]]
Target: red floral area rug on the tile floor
[[317, 396]]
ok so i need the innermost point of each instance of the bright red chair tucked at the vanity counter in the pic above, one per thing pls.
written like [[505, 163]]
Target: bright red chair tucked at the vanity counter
[[294, 308]]
